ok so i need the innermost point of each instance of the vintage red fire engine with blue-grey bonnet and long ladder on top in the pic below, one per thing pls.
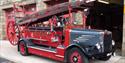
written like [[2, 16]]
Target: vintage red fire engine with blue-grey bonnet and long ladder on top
[[60, 33]]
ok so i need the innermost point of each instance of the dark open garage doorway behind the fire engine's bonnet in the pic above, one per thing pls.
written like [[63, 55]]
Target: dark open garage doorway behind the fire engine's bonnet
[[108, 17]]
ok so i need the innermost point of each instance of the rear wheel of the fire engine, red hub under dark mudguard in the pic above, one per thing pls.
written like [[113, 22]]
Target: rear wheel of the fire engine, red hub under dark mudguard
[[23, 48]]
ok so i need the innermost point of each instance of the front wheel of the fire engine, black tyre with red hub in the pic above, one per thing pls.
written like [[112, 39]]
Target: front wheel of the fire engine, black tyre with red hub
[[76, 56]]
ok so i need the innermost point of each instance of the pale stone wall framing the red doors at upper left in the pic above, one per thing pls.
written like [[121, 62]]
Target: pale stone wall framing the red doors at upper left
[[9, 3]]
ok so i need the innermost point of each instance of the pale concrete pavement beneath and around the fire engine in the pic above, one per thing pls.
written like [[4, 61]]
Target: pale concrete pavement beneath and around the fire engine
[[10, 52]]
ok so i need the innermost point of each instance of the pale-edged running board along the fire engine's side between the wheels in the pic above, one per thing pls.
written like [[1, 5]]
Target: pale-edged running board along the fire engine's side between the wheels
[[42, 48]]
